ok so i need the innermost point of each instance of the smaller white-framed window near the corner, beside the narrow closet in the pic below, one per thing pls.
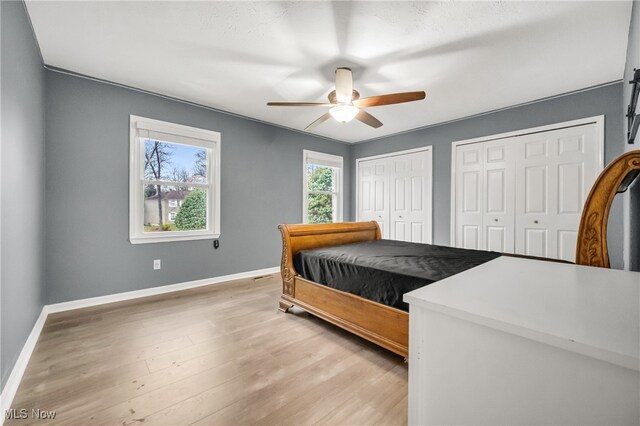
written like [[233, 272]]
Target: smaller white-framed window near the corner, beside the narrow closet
[[322, 188]]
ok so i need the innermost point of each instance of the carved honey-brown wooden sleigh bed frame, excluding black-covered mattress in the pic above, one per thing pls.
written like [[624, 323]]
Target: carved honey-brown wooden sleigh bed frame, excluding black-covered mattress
[[388, 326]]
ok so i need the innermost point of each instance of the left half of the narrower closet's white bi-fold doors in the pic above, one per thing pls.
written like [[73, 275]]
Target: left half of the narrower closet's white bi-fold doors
[[373, 193]]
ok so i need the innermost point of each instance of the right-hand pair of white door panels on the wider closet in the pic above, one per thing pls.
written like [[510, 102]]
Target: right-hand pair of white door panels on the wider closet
[[554, 173]]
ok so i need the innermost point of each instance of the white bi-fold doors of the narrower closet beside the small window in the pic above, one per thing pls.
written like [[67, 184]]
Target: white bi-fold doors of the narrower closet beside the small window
[[395, 191]]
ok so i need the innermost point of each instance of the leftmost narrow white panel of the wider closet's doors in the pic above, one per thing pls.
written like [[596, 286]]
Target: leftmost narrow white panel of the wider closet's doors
[[469, 163]]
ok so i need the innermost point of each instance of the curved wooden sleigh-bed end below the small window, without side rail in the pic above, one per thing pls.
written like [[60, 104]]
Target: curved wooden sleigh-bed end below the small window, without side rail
[[304, 237]]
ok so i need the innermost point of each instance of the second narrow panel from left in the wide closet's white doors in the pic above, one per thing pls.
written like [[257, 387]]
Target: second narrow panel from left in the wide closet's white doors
[[498, 195]]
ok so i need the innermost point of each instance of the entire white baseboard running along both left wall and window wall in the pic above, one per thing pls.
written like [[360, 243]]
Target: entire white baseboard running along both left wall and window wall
[[10, 388]]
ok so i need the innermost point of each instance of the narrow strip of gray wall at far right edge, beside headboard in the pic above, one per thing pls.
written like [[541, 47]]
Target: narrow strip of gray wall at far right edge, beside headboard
[[632, 197]]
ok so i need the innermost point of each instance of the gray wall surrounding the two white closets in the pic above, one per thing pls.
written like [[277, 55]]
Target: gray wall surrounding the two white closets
[[604, 100]]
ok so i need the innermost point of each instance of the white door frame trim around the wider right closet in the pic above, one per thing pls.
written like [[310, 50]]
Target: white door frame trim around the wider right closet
[[598, 120]]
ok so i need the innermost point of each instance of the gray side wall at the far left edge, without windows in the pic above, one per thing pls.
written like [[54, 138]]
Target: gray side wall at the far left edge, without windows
[[22, 286]]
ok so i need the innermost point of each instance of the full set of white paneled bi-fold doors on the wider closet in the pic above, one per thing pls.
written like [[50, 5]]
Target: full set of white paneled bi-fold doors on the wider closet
[[524, 193]]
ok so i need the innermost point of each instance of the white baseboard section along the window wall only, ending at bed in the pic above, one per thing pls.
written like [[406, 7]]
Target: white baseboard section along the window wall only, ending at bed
[[119, 297]]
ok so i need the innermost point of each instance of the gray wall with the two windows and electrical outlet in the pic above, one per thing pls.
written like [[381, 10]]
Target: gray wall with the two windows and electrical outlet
[[87, 220]]
